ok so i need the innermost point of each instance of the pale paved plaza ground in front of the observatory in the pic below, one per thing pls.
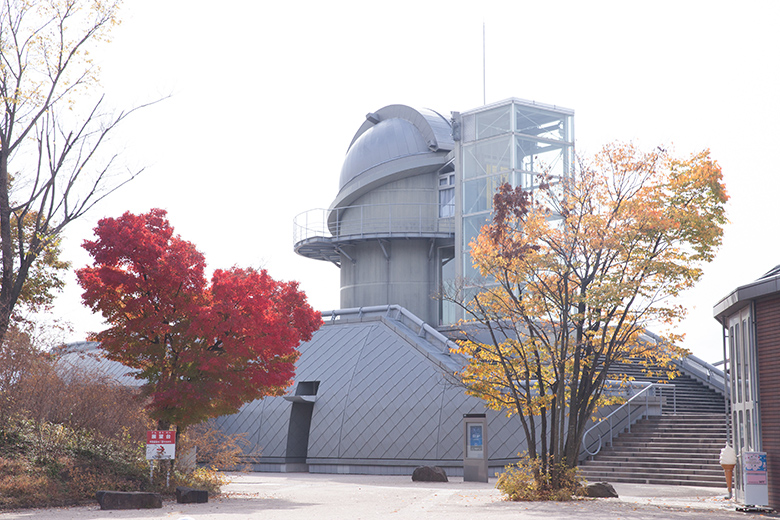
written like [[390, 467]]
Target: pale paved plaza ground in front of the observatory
[[303, 496]]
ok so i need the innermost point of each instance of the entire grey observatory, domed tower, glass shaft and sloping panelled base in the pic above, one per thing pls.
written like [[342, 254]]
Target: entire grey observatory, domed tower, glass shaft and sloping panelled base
[[375, 390]]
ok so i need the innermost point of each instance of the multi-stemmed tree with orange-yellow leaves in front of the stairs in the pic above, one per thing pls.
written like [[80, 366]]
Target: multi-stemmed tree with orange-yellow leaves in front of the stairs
[[573, 273]]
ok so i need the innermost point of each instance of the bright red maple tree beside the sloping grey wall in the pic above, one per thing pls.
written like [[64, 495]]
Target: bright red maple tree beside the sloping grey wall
[[202, 349]]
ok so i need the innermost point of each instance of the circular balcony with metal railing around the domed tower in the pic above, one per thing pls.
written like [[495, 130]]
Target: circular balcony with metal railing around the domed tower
[[372, 220]]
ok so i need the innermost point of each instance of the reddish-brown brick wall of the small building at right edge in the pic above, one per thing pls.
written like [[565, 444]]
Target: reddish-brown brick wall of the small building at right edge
[[768, 343]]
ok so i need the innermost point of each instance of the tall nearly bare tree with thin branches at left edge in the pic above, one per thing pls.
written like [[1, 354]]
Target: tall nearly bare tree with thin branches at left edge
[[51, 171]]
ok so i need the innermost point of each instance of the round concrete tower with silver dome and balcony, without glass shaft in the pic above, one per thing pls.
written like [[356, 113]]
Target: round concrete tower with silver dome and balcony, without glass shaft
[[391, 225]]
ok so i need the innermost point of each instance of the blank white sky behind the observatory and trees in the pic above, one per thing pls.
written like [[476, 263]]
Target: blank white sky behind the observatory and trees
[[266, 97]]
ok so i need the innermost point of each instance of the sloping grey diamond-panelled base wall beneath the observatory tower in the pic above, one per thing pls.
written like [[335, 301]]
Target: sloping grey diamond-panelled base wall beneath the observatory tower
[[382, 407]]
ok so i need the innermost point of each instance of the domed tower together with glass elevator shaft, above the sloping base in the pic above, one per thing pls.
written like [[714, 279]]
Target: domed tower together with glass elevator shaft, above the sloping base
[[415, 189]]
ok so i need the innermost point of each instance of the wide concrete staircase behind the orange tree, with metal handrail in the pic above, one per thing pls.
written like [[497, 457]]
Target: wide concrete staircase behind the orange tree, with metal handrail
[[679, 448]]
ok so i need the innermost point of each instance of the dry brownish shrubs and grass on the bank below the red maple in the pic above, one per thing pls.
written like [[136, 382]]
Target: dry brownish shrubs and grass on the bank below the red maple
[[66, 433]]
